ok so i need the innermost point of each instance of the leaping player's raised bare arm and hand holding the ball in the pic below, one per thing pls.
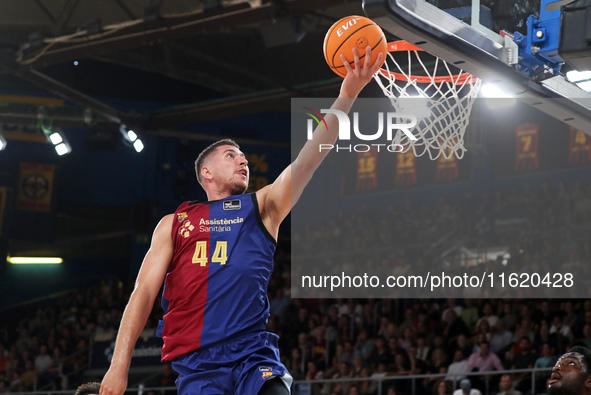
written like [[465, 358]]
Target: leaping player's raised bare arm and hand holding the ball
[[277, 199]]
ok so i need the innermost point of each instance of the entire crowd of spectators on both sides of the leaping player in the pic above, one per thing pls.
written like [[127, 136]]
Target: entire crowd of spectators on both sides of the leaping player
[[382, 338]]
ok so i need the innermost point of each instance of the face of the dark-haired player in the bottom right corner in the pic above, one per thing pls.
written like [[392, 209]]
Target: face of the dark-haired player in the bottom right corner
[[569, 376]]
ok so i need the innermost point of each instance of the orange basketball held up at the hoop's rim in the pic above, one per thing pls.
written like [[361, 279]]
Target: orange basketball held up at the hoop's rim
[[348, 33]]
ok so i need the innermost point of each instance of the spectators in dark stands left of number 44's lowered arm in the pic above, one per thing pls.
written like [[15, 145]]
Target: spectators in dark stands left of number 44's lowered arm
[[46, 345]]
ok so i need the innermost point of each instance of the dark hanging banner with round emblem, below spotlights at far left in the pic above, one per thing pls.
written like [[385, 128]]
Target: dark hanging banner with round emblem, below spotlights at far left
[[35, 187]]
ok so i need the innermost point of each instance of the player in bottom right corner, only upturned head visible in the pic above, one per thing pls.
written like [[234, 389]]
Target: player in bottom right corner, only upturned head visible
[[571, 375]]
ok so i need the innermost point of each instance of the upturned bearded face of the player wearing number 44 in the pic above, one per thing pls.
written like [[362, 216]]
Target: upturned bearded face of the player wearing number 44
[[230, 169]]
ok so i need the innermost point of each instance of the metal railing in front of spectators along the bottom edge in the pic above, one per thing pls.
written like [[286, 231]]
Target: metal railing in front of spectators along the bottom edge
[[314, 387]]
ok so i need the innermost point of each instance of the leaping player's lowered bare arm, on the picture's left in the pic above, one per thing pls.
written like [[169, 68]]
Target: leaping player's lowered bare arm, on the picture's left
[[147, 286]]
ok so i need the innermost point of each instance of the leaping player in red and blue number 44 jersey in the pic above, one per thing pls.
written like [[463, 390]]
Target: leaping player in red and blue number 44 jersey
[[217, 258]]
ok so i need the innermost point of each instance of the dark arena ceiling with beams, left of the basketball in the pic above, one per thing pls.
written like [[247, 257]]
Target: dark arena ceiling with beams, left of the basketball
[[199, 60]]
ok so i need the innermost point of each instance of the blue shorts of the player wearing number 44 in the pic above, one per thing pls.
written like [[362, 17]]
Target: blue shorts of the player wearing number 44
[[238, 367]]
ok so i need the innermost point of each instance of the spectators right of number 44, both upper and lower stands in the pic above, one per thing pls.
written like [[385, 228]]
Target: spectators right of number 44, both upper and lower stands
[[543, 229]]
